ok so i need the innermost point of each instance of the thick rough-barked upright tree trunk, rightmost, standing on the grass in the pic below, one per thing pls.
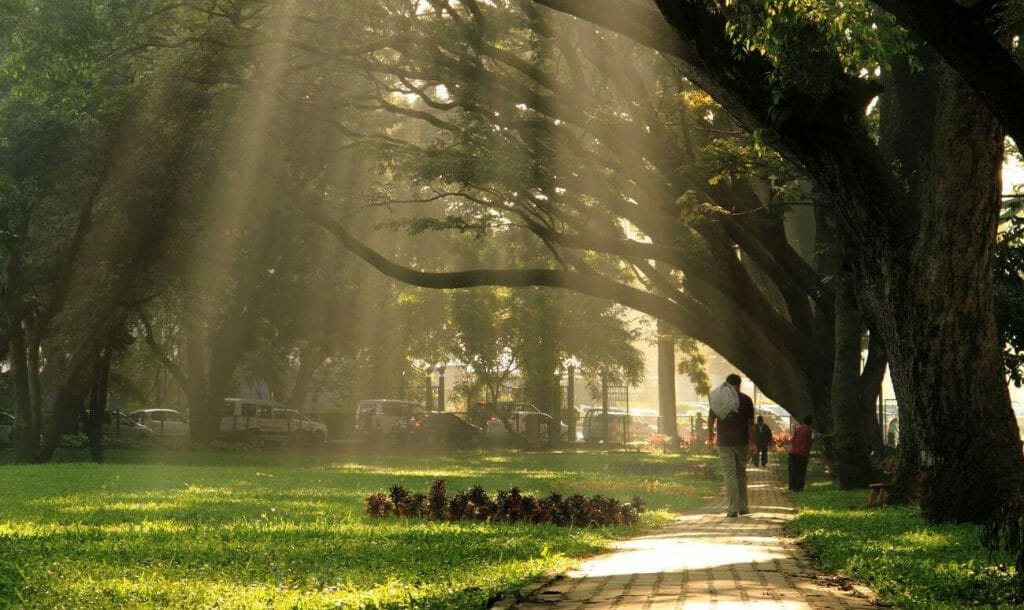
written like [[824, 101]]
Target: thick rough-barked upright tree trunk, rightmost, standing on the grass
[[941, 330]]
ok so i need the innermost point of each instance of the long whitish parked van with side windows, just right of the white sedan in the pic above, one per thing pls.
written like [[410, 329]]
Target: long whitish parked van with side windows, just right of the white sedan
[[253, 420]]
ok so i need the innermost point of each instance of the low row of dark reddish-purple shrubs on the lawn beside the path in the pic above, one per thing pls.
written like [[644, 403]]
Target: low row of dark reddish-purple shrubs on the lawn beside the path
[[511, 506]]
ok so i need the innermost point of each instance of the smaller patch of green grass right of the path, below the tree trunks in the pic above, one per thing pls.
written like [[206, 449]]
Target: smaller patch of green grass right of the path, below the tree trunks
[[911, 563]]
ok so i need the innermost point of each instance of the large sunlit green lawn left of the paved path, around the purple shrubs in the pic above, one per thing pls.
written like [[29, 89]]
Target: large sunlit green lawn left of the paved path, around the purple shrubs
[[163, 530]]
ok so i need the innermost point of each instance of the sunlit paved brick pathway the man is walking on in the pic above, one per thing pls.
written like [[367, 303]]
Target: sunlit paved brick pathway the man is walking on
[[704, 560]]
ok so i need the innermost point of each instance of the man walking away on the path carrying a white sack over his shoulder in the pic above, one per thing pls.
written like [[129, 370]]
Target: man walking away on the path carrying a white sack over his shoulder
[[733, 413]]
